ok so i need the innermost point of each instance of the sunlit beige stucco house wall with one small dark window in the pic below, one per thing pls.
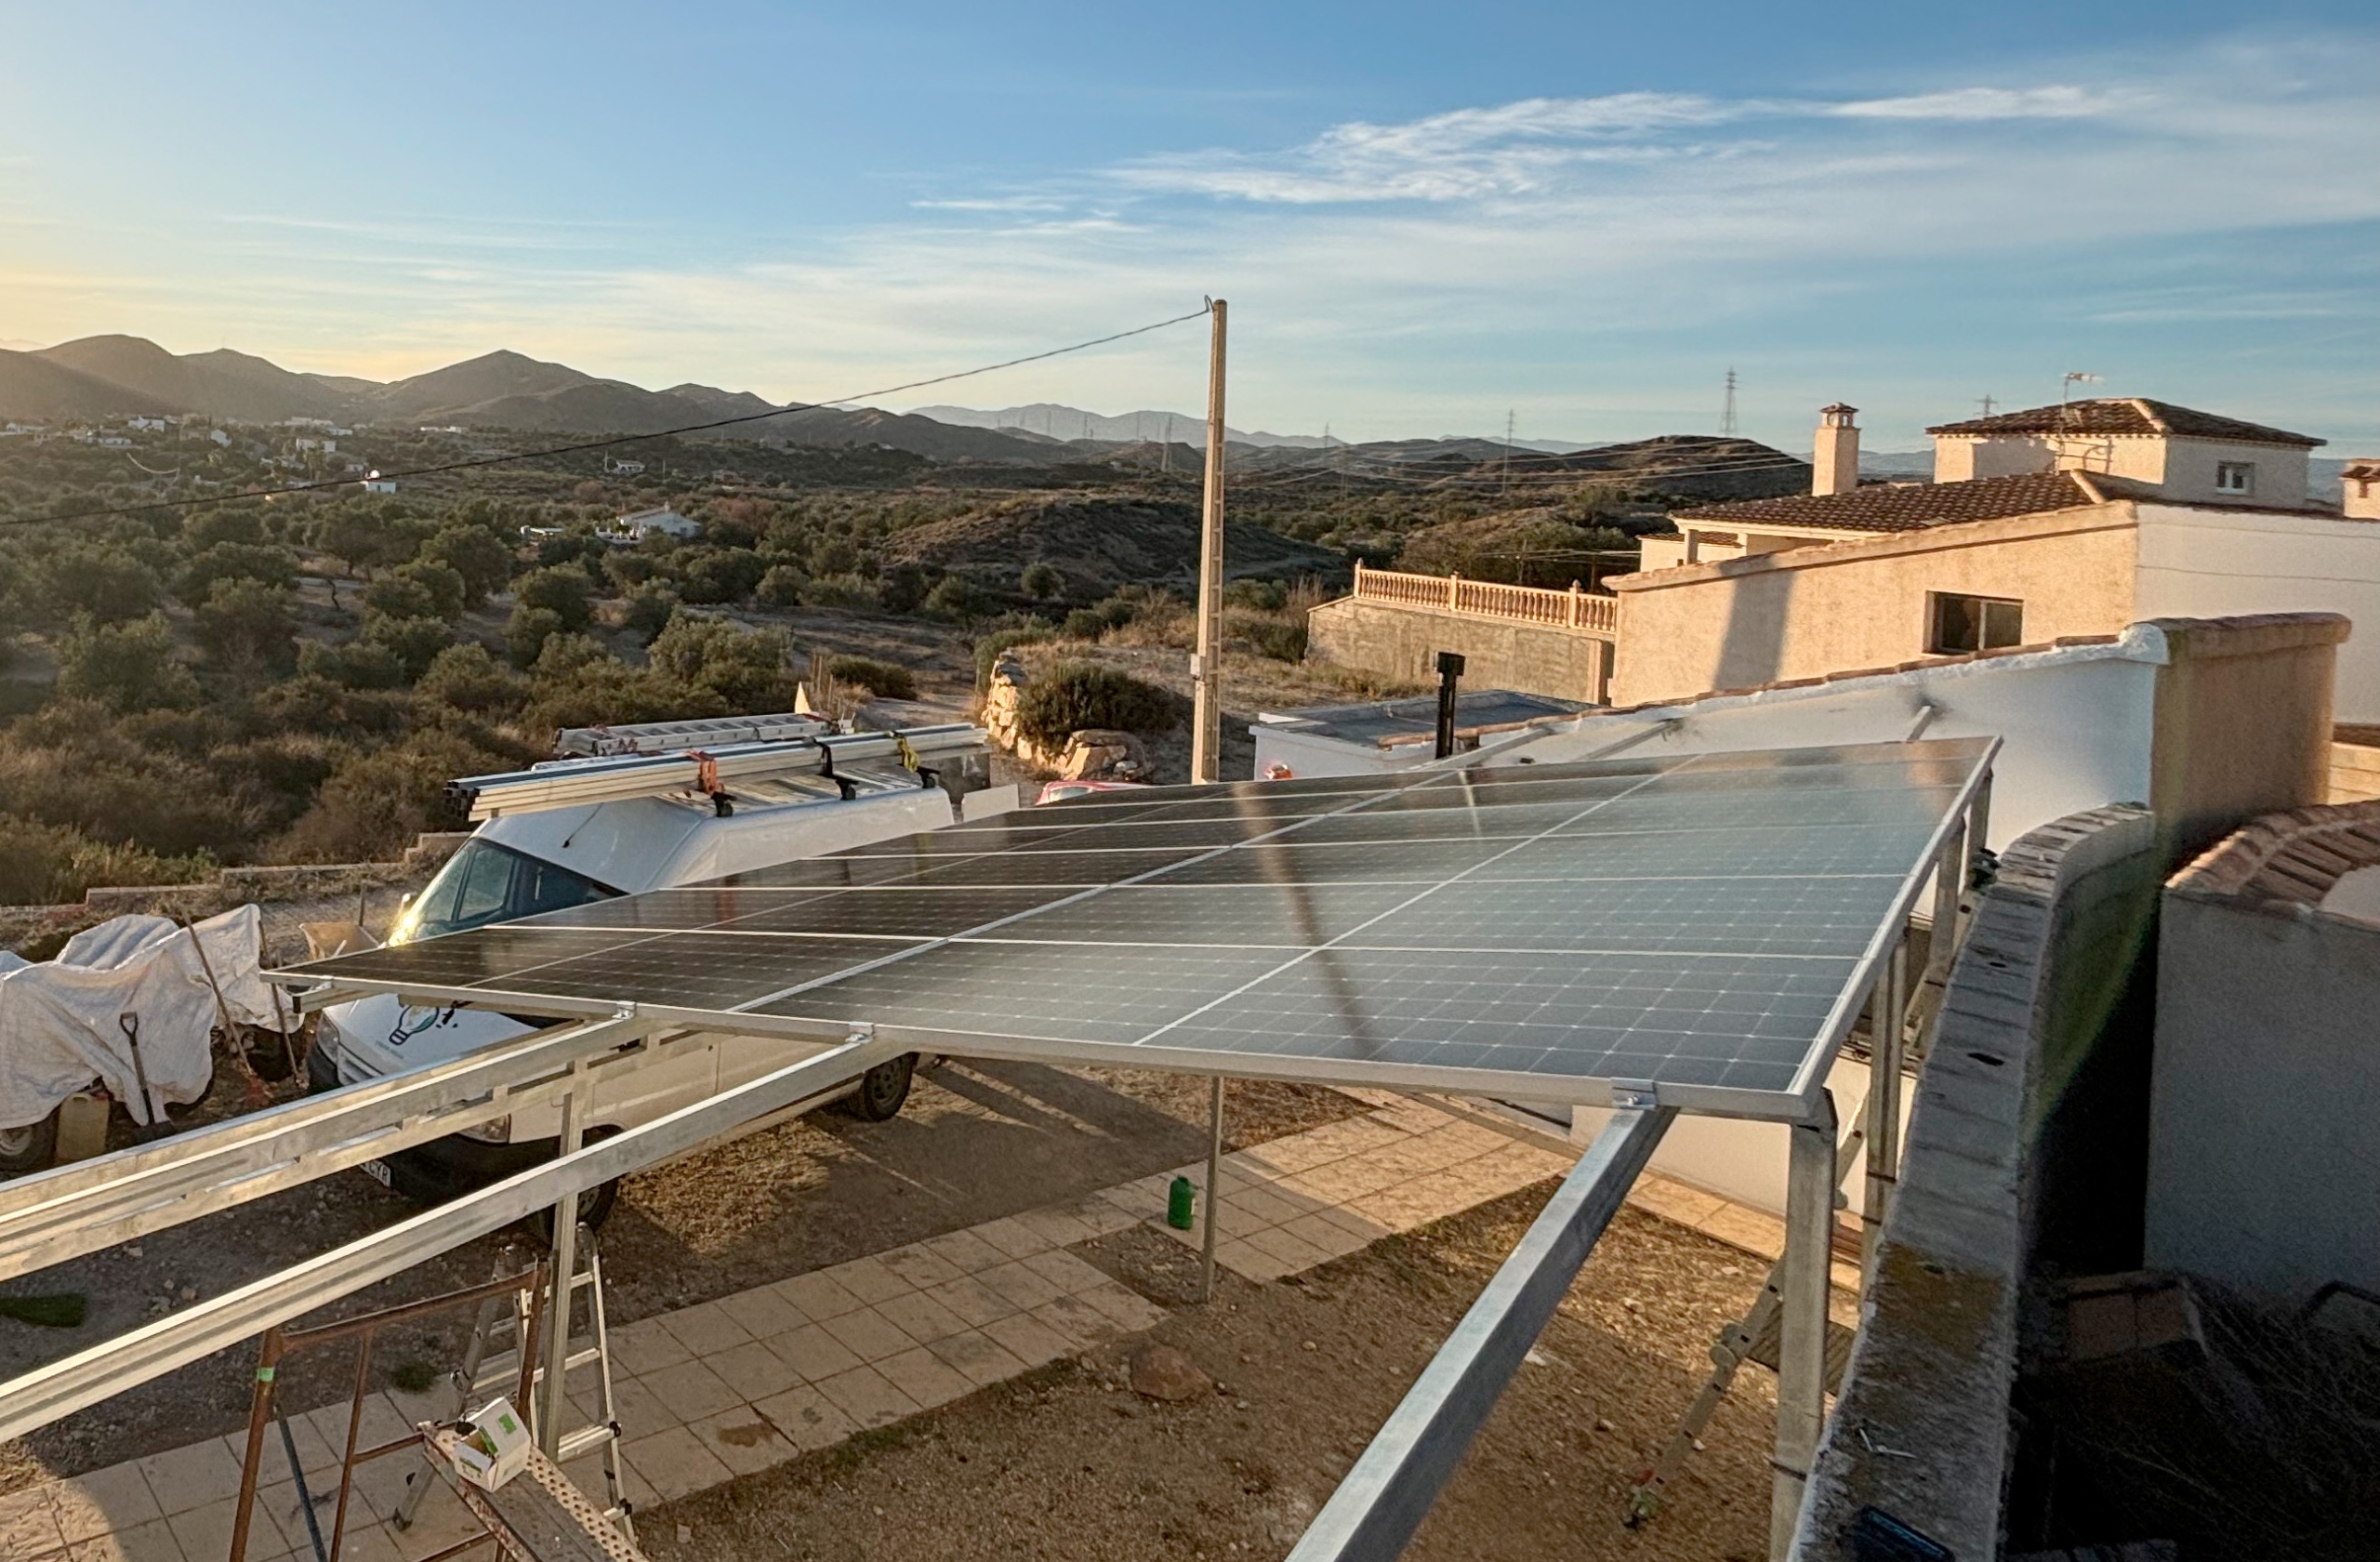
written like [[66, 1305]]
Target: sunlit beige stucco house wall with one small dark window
[[1848, 606]]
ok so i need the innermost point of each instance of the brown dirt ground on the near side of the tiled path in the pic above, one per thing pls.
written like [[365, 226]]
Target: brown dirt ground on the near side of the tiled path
[[1072, 1466]]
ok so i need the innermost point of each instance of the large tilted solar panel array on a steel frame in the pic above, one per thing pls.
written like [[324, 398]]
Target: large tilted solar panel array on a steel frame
[[1532, 930]]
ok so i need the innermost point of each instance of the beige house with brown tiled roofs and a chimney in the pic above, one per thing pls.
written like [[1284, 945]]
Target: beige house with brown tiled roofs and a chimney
[[2050, 523]]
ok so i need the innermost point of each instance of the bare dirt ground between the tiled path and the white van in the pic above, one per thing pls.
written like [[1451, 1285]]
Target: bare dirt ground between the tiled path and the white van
[[977, 1142]]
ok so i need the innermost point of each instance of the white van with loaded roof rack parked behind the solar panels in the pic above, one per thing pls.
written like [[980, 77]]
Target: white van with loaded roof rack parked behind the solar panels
[[568, 854]]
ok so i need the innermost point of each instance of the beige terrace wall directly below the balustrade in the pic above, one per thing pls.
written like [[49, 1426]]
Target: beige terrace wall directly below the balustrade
[[1405, 642]]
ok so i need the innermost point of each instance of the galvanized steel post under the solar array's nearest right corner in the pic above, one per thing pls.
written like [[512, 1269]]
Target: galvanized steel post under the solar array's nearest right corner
[[1810, 1230]]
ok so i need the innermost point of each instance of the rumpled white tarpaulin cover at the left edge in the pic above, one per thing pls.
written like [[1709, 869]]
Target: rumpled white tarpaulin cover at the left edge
[[61, 1020]]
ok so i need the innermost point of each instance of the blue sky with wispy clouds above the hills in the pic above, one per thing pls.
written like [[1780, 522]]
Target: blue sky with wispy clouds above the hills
[[1424, 215]]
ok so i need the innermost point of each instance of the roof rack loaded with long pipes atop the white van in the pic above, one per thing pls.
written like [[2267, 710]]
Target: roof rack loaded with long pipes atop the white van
[[715, 773]]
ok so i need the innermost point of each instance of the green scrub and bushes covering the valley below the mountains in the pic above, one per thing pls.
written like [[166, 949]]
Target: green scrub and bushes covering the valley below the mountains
[[296, 677]]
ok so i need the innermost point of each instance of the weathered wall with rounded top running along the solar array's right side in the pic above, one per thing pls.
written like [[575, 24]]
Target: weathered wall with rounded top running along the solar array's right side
[[1922, 1427]]
